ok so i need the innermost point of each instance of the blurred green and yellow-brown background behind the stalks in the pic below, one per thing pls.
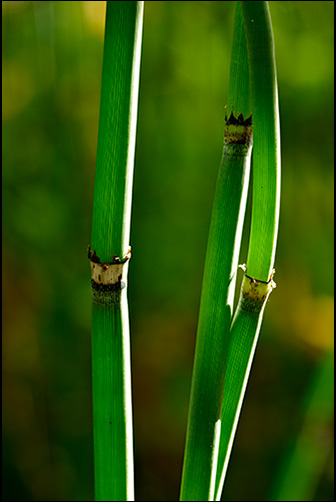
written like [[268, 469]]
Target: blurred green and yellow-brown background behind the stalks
[[52, 57]]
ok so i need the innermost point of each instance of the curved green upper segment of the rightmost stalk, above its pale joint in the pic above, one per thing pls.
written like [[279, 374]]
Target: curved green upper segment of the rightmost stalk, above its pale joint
[[266, 140]]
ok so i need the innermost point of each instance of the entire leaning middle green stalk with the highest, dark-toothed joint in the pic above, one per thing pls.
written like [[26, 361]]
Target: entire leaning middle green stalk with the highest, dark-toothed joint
[[203, 430]]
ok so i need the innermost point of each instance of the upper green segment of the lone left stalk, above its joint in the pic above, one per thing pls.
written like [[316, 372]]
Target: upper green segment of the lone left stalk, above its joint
[[117, 128]]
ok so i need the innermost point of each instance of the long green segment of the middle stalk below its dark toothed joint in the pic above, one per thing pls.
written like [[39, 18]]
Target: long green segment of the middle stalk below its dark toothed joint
[[213, 327]]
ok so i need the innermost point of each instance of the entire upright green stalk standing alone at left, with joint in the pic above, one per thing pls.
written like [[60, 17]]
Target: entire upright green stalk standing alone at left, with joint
[[109, 253]]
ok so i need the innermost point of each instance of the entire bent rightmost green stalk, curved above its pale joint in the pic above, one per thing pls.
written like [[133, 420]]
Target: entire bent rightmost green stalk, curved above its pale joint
[[257, 283]]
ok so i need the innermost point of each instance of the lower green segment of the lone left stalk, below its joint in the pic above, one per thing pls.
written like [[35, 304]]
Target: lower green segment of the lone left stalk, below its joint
[[112, 405]]
